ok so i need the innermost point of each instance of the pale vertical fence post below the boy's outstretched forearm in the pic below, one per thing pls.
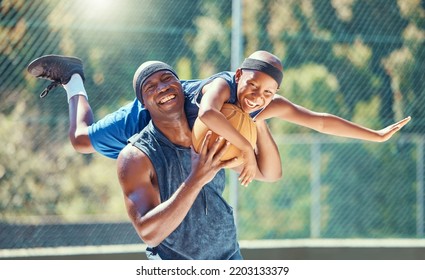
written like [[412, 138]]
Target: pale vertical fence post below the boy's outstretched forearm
[[315, 214]]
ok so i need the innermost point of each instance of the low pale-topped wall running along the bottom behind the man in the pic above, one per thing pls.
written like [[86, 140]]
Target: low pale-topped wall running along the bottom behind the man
[[298, 249]]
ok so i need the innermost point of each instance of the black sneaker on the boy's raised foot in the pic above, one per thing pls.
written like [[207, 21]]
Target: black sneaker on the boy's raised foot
[[55, 68]]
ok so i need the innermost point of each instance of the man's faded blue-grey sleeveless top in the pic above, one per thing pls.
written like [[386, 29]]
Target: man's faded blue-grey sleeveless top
[[208, 231]]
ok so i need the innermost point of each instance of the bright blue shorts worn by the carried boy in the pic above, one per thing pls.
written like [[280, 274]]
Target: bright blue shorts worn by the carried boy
[[109, 135]]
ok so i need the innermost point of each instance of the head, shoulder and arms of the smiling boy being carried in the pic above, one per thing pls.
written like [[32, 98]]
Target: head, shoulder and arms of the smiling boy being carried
[[253, 88]]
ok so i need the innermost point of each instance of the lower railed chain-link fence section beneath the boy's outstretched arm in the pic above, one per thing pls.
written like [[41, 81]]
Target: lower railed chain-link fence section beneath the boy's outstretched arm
[[338, 188]]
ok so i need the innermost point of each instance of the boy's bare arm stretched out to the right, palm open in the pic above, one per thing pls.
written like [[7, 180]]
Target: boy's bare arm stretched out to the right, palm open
[[326, 123]]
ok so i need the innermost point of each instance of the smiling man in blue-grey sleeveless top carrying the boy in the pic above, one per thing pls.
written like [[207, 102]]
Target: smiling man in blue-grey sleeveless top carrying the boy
[[162, 191]]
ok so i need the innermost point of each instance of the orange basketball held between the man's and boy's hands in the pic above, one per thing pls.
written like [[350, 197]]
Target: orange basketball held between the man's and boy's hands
[[239, 120]]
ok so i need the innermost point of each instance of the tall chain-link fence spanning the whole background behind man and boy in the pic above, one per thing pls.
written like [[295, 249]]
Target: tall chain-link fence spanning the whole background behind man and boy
[[361, 60]]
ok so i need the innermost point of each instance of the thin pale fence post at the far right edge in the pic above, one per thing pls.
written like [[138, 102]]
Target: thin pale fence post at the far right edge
[[420, 187]]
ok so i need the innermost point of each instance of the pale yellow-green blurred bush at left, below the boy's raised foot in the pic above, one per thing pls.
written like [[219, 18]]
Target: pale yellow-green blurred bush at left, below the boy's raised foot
[[52, 181]]
